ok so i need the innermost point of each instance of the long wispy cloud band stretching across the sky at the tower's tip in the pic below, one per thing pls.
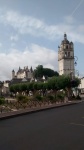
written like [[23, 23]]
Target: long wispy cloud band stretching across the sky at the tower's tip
[[25, 25]]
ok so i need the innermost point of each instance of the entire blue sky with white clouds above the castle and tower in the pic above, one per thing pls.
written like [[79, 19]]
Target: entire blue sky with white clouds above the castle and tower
[[32, 30]]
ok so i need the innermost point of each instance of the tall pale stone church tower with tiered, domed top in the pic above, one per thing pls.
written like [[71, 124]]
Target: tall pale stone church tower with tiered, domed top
[[66, 57]]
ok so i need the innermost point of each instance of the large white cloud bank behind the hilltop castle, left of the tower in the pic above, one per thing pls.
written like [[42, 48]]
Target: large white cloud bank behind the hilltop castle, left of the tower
[[31, 56]]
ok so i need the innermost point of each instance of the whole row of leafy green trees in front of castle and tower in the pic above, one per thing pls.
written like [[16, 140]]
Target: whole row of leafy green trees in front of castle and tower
[[55, 83]]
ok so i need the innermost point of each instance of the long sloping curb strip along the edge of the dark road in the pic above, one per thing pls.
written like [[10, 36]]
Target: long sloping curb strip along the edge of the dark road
[[33, 110]]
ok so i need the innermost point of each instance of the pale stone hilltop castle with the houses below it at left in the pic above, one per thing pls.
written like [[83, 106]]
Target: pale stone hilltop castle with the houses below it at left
[[22, 75]]
